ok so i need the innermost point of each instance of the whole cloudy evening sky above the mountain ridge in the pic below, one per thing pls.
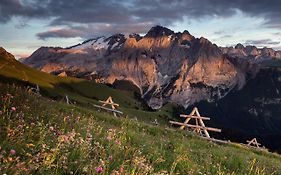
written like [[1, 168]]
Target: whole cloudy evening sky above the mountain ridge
[[26, 25]]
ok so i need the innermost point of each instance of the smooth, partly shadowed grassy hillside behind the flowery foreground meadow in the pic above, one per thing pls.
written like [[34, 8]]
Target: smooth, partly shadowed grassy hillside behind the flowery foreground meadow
[[81, 91]]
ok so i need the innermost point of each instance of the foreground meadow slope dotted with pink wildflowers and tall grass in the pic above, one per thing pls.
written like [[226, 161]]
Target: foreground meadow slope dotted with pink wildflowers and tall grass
[[54, 138]]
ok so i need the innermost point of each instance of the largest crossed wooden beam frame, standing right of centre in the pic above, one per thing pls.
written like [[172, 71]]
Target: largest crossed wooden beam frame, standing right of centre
[[199, 126]]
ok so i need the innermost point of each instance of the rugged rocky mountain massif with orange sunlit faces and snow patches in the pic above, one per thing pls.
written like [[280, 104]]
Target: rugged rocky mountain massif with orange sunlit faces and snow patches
[[164, 65]]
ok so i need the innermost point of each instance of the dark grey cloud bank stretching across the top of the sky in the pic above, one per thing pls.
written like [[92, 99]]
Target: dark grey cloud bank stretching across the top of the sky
[[127, 13]]
